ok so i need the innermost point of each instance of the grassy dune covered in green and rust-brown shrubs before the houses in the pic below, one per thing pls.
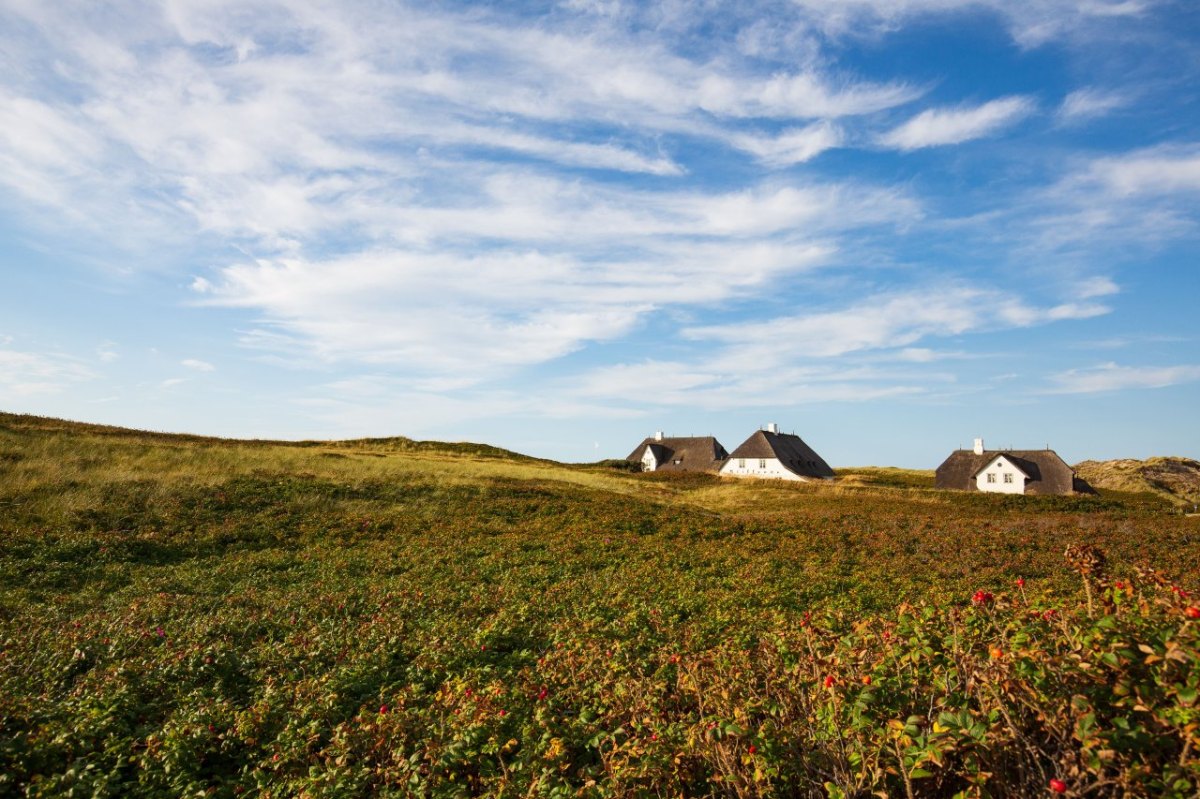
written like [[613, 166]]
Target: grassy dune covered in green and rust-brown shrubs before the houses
[[188, 616]]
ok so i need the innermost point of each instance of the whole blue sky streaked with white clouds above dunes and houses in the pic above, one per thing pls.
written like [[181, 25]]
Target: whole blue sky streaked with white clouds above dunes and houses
[[889, 225]]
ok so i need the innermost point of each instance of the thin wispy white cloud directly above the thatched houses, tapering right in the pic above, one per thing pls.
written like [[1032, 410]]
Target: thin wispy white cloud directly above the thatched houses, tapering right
[[860, 353]]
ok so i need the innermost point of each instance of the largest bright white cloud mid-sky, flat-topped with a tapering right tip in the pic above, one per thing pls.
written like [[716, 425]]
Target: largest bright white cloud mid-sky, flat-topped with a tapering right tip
[[482, 315]]
